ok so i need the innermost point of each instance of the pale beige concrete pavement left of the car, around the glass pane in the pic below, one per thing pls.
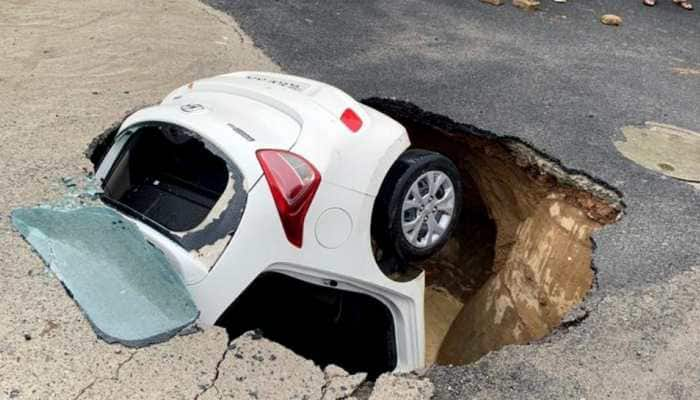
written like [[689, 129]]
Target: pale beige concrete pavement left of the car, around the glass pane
[[69, 70]]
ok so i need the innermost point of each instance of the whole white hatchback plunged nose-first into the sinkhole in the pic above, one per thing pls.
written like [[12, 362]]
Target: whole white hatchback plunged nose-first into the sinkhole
[[274, 197]]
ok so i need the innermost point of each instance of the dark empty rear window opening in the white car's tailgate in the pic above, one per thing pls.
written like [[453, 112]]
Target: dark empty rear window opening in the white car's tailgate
[[167, 176]]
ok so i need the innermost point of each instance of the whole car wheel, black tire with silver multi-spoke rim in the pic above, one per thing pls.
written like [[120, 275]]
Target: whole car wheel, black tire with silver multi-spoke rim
[[418, 205]]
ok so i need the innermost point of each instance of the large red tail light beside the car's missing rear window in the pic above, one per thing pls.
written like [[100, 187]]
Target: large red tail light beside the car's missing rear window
[[293, 182]]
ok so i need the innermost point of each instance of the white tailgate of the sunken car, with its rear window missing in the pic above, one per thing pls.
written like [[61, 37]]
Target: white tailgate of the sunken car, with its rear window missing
[[183, 169]]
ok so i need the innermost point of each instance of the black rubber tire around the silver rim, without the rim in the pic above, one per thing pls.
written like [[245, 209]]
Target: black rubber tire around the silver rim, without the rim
[[388, 215]]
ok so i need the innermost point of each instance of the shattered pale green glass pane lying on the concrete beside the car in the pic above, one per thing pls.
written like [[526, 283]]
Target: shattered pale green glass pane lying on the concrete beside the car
[[124, 285]]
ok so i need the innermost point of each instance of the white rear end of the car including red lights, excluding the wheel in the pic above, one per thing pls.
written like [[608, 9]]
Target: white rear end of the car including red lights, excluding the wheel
[[281, 177]]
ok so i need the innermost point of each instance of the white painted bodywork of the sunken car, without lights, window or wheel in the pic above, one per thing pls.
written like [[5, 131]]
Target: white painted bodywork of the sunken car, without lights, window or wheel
[[297, 114]]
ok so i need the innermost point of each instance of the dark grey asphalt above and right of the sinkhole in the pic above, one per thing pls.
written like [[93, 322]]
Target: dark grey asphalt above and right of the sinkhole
[[565, 83]]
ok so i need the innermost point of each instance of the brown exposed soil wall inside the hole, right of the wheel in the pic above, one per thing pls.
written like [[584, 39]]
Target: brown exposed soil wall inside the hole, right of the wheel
[[520, 259]]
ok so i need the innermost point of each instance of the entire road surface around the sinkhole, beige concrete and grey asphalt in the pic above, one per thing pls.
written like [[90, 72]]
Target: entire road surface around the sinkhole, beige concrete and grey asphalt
[[557, 78]]
